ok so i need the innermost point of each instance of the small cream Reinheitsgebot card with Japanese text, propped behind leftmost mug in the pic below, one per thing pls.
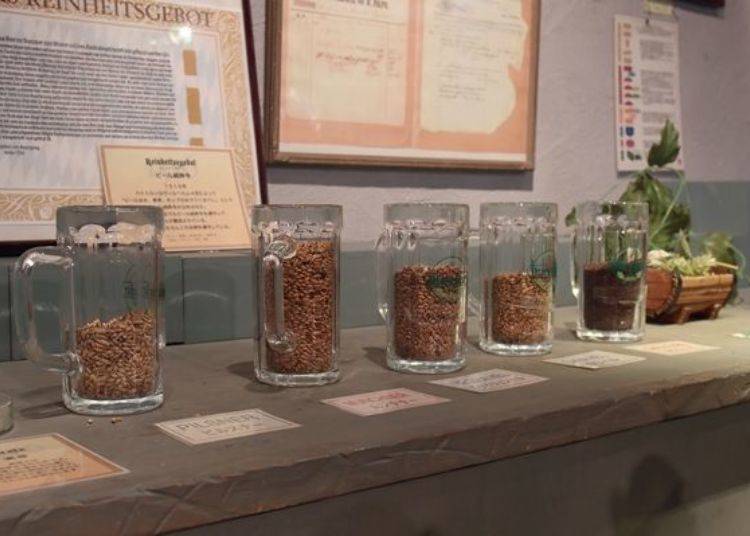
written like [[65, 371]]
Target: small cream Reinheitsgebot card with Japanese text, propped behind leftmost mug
[[197, 189]]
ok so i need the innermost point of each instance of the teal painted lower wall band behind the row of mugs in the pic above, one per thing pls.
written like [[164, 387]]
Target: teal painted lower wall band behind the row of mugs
[[211, 297]]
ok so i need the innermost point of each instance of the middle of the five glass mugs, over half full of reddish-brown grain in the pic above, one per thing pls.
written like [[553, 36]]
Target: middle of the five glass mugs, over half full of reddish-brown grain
[[422, 285]]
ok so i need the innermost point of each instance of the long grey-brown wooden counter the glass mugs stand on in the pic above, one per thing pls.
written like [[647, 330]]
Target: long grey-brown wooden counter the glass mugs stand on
[[175, 486]]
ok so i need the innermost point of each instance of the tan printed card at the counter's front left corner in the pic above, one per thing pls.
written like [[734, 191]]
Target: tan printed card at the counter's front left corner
[[31, 463]]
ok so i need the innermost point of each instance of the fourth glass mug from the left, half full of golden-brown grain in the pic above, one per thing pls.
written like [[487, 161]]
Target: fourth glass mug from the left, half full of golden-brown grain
[[518, 268]]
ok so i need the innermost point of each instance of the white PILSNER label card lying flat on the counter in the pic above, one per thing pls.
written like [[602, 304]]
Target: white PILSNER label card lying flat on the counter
[[221, 426]]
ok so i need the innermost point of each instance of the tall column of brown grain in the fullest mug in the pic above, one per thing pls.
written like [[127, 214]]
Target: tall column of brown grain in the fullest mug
[[309, 309]]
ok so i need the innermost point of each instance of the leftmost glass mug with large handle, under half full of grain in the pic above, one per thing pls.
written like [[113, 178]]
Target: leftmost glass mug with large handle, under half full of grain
[[111, 317]]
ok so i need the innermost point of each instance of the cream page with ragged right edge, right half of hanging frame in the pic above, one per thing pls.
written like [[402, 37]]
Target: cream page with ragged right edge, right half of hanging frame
[[469, 47]]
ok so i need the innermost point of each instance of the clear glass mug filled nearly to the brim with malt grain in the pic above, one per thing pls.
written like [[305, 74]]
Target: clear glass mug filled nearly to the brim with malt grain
[[297, 248]]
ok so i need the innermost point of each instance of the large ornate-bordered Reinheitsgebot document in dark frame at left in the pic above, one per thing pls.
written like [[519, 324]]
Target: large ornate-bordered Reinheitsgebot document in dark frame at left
[[77, 76]]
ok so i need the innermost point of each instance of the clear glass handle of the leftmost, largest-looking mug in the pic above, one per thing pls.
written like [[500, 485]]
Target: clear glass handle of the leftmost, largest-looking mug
[[24, 311]]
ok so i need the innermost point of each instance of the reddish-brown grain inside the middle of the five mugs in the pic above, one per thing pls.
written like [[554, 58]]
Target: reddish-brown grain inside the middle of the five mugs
[[428, 320]]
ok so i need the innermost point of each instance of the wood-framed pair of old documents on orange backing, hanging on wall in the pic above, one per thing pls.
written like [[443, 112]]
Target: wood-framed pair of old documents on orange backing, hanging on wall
[[402, 82]]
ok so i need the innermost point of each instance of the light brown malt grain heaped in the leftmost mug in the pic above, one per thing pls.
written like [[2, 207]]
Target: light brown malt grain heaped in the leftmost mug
[[118, 357]]
